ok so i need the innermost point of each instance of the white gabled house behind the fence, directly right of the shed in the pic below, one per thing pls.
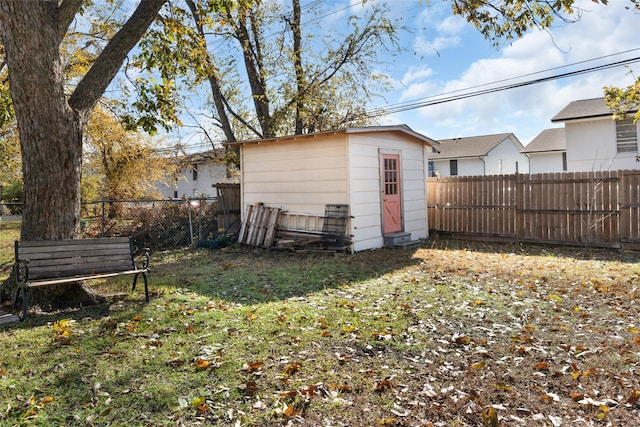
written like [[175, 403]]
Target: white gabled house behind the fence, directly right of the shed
[[479, 155]]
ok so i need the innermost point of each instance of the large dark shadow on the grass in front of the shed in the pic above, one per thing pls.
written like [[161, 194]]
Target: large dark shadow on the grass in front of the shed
[[252, 276]]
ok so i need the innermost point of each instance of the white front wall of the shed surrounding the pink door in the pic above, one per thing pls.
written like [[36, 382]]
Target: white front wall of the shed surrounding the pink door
[[366, 192]]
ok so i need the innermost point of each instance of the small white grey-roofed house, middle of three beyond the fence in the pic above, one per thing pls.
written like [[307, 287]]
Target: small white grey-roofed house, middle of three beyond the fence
[[547, 152]]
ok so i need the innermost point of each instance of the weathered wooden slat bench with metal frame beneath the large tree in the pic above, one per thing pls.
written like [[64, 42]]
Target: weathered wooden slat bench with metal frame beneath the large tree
[[51, 262]]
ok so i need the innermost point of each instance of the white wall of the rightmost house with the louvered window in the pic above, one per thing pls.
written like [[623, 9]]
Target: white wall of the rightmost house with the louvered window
[[591, 146]]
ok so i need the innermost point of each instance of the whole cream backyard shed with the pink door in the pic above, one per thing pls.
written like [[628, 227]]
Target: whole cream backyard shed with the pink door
[[379, 172]]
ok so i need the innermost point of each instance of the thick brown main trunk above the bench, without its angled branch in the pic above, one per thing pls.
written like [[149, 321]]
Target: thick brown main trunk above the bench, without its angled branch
[[50, 132]]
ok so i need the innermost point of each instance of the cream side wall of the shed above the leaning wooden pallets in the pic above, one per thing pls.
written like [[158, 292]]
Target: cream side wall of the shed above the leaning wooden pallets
[[297, 175]]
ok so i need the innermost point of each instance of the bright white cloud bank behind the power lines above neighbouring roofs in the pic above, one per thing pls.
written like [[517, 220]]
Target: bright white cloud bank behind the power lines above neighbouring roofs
[[603, 30]]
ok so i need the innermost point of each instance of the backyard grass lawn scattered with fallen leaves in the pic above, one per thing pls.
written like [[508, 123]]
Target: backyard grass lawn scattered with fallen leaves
[[451, 334]]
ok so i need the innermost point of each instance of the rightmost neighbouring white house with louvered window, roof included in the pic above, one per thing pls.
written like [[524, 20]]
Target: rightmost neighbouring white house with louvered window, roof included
[[594, 140]]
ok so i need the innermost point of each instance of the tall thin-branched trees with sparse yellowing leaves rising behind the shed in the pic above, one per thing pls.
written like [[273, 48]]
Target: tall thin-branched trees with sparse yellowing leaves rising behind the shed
[[271, 73]]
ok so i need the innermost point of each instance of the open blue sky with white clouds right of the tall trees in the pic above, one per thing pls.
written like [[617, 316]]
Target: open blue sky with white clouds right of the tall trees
[[447, 54]]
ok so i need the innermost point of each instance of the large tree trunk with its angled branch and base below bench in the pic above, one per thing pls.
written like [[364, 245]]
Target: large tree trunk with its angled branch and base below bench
[[50, 127]]
